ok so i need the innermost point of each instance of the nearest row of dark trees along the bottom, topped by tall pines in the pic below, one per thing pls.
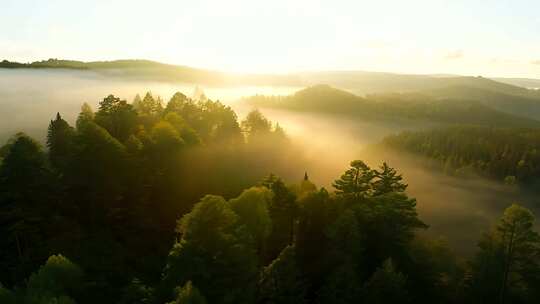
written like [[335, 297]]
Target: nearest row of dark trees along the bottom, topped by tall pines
[[302, 244]]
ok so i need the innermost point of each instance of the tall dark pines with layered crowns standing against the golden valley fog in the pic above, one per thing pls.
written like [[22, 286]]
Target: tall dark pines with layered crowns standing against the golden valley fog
[[382, 210]]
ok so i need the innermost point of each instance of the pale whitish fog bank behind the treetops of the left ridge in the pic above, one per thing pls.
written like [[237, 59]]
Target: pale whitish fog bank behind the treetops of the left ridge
[[30, 98]]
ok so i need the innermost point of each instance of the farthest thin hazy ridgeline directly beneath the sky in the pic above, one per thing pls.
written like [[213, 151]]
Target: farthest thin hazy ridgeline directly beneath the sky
[[359, 82]]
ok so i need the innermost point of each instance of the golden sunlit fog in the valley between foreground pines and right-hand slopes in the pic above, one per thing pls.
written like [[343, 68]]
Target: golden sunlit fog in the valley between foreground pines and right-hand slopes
[[457, 209]]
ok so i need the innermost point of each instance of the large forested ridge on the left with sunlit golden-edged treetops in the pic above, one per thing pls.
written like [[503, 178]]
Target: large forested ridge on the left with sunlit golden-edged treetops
[[107, 192]]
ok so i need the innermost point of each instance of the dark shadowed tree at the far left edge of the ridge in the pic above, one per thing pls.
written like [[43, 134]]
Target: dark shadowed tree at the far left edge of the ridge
[[26, 202]]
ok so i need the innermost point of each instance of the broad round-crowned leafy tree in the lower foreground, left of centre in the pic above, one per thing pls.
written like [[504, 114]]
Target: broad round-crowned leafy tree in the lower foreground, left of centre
[[212, 230]]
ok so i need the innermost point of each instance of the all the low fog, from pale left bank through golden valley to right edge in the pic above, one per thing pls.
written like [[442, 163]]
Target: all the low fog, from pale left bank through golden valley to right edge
[[457, 209]]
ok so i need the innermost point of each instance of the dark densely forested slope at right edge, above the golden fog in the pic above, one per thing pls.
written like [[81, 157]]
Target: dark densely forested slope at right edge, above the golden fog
[[507, 154]]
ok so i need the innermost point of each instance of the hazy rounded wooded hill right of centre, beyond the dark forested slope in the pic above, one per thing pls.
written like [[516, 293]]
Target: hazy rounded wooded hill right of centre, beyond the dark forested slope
[[395, 108]]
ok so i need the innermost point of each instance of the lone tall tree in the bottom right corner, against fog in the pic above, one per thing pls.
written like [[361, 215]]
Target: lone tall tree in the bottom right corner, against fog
[[508, 259]]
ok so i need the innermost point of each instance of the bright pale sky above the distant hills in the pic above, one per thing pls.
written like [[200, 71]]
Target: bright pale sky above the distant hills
[[482, 37]]
